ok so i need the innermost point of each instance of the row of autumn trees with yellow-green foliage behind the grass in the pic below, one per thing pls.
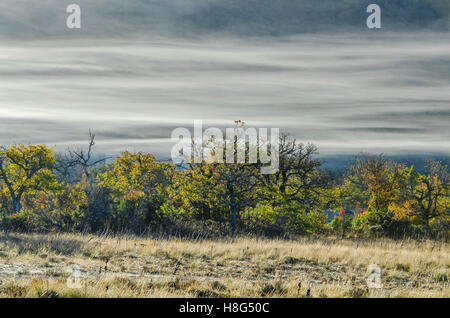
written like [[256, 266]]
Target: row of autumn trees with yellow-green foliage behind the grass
[[77, 191]]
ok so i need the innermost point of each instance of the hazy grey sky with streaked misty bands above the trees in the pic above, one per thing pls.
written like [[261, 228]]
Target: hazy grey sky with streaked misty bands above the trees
[[137, 69]]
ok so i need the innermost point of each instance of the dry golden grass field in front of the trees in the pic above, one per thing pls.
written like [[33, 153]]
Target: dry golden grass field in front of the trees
[[33, 265]]
